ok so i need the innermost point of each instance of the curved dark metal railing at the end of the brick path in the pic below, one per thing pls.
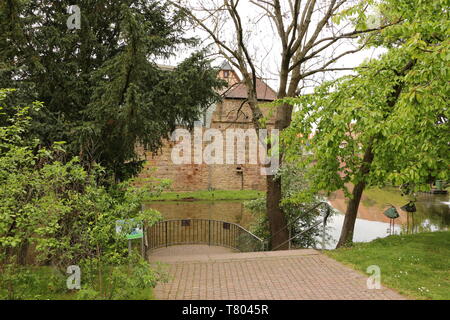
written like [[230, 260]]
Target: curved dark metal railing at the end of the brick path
[[202, 231]]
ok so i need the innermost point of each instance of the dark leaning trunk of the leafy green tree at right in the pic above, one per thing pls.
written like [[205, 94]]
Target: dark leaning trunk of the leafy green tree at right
[[346, 237]]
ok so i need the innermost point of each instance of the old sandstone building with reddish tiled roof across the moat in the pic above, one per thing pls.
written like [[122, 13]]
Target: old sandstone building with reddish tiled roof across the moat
[[230, 113]]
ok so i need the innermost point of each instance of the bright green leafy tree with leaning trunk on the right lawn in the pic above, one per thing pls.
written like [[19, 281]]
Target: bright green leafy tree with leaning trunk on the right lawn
[[388, 123]]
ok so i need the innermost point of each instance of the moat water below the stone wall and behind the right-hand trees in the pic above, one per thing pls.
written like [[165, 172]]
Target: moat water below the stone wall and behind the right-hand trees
[[433, 214]]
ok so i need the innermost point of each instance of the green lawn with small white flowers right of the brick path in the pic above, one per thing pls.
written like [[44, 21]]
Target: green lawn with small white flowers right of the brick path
[[417, 266]]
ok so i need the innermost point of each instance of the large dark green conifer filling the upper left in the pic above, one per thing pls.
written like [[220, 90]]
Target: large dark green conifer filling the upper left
[[102, 91]]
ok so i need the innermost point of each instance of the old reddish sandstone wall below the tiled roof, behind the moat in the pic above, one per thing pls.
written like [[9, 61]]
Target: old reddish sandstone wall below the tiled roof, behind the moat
[[229, 114]]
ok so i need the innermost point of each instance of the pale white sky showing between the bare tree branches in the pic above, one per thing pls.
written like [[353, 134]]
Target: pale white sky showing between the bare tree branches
[[265, 47]]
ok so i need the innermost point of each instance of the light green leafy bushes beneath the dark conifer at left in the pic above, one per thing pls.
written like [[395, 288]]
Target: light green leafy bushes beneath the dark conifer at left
[[54, 212]]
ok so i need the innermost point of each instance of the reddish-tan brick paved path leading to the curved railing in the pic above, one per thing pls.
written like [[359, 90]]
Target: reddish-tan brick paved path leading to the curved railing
[[295, 274]]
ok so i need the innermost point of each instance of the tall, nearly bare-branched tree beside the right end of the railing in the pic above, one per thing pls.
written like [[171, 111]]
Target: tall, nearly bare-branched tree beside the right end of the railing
[[308, 37]]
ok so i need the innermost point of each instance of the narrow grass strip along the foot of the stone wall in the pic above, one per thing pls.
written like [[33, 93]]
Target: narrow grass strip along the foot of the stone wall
[[221, 195]]
